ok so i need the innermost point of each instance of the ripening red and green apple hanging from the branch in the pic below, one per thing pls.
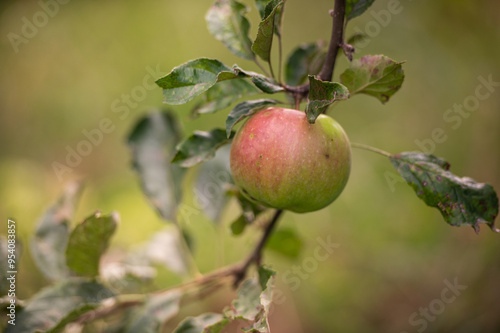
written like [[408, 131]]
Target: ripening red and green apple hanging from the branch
[[281, 161]]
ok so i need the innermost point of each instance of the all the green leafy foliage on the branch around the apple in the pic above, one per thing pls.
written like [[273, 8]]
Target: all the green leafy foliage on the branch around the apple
[[83, 294]]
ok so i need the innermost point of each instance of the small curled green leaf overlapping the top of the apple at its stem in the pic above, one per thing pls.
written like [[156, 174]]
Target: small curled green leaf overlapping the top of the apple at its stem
[[321, 95]]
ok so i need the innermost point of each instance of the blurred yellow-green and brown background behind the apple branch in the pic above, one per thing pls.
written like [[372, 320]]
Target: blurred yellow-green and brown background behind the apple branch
[[394, 253]]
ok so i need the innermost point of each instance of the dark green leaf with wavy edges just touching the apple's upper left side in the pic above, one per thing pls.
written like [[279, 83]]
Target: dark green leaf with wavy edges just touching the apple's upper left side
[[199, 147]]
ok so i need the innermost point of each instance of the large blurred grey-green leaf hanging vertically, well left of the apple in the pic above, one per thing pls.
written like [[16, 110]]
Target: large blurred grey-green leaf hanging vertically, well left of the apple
[[153, 142]]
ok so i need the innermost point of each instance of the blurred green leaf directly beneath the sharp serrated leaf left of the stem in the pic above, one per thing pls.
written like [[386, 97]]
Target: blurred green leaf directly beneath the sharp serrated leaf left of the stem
[[223, 94]]
